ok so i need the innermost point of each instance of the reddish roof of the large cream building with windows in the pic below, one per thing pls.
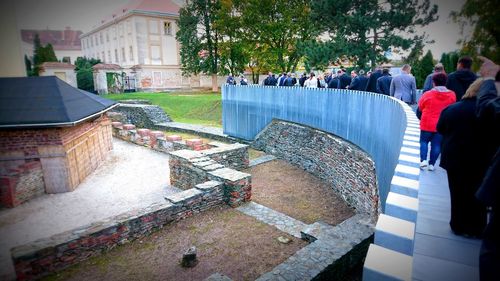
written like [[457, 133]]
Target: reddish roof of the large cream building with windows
[[144, 7]]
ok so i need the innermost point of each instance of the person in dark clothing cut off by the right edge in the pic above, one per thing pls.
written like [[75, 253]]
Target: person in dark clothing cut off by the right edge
[[488, 110]]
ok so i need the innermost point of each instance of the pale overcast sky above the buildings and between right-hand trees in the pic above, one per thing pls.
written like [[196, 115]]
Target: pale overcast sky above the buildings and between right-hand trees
[[84, 14]]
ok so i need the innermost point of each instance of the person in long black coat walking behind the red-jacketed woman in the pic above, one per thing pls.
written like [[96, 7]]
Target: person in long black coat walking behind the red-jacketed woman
[[466, 152]]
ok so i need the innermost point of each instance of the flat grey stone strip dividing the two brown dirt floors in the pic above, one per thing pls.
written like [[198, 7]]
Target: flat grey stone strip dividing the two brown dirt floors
[[279, 220]]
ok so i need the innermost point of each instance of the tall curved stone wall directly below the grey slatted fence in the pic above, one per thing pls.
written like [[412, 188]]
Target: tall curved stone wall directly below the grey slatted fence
[[349, 170]]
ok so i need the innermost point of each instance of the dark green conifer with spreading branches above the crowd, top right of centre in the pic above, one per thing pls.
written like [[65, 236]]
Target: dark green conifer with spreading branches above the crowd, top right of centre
[[366, 28]]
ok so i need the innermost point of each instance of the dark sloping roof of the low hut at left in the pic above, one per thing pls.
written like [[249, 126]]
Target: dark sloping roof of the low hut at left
[[46, 102]]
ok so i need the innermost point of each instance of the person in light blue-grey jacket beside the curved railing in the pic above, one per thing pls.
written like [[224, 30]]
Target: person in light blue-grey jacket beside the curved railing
[[403, 86]]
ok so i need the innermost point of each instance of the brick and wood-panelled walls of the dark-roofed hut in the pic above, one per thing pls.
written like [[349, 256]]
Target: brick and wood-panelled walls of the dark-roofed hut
[[63, 158]]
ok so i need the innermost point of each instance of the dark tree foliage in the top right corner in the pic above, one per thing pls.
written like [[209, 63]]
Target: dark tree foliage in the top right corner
[[482, 16]]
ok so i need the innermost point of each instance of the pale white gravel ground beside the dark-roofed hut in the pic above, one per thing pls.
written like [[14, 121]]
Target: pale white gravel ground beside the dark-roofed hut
[[131, 177]]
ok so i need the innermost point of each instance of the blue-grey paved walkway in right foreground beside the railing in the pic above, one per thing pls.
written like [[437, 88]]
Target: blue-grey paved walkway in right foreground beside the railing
[[438, 253]]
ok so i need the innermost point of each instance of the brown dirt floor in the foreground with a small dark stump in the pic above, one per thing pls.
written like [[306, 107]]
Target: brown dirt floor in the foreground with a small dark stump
[[227, 241]]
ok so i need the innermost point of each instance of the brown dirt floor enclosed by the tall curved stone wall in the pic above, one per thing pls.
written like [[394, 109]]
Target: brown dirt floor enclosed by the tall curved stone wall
[[293, 191]]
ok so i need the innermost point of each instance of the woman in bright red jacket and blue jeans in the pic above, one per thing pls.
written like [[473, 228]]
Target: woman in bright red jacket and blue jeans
[[431, 104]]
